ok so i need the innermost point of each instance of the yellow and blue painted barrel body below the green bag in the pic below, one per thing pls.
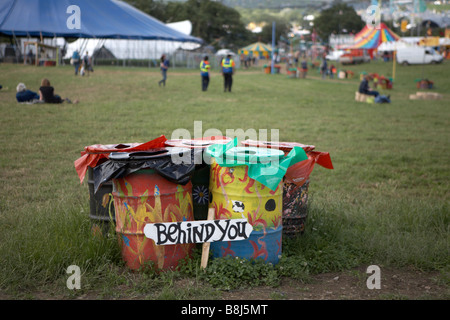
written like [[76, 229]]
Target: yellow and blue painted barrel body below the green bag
[[233, 195]]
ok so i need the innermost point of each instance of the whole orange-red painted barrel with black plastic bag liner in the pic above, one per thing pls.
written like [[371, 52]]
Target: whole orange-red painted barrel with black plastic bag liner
[[149, 188]]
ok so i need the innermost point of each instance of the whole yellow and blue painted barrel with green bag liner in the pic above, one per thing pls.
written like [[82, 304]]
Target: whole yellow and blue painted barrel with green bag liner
[[246, 182]]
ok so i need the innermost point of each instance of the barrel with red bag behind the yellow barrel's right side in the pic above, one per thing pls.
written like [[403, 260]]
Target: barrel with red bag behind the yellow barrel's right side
[[296, 183]]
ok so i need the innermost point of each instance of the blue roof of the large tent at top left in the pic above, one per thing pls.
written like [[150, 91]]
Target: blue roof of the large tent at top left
[[99, 19]]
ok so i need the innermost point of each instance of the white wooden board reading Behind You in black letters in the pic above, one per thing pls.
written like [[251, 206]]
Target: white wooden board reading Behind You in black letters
[[198, 231]]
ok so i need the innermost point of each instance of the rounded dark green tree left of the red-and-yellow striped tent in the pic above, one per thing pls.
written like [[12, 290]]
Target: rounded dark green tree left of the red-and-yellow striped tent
[[338, 17]]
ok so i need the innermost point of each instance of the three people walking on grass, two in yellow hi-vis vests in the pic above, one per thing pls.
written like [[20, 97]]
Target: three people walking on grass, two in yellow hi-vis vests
[[228, 67]]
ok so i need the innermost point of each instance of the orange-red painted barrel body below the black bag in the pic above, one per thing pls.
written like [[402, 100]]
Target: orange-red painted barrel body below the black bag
[[145, 197]]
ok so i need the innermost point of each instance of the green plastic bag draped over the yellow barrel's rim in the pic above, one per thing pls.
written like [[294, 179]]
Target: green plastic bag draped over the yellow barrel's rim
[[267, 166]]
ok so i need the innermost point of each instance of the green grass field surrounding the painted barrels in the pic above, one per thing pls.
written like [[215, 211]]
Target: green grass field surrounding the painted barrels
[[385, 203]]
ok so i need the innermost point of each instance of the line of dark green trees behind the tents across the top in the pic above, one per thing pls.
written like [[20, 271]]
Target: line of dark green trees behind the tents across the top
[[224, 27]]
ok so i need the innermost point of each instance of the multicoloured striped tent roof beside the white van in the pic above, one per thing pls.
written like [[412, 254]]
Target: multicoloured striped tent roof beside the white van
[[371, 38]]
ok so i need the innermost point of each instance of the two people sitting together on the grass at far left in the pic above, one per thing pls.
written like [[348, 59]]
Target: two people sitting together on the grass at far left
[[46, 94]]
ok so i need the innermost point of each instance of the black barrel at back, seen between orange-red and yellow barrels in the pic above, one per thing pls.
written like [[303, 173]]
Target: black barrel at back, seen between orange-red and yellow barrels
[[200, 178]]
